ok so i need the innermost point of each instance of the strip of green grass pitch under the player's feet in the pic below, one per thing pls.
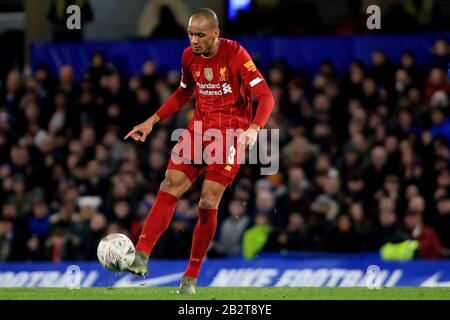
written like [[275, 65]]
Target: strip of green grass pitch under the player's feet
[[220, 293]]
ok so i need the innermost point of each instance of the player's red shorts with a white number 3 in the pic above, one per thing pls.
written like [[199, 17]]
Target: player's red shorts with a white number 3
[[194, 154]]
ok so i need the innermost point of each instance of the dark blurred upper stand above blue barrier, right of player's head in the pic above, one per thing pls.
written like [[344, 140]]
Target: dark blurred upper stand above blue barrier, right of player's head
[[291, 17]]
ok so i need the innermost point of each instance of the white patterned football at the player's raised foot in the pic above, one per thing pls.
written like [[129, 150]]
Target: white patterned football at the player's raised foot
[[116, 252]]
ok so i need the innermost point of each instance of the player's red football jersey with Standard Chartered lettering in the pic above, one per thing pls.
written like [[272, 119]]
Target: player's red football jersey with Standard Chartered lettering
[[222, 86]]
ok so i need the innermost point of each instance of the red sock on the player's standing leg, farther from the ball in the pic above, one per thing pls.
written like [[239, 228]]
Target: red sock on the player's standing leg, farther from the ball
[[203, 234]]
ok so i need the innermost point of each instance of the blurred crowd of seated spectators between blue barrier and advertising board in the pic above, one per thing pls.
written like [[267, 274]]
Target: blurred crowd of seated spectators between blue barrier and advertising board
[[364, 162]]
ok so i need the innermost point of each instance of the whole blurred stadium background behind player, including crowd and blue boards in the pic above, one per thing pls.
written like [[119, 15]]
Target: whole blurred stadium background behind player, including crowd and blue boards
[[364, 142]]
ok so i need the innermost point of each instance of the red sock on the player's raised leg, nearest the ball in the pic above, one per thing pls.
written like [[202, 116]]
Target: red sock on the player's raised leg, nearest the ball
[[157, 221]]
